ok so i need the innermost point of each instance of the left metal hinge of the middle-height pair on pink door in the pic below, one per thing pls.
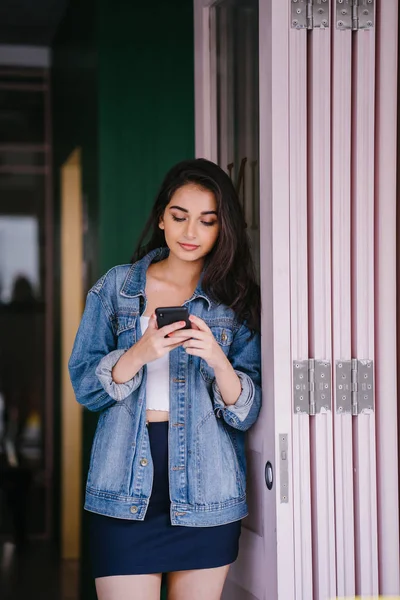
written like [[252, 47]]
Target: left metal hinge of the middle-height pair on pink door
[[312, 389]]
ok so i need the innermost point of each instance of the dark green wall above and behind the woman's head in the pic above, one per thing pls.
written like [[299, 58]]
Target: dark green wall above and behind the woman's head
[[146, 112]]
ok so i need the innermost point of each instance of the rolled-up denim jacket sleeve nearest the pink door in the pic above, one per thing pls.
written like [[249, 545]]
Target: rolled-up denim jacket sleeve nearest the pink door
[[245, 358]]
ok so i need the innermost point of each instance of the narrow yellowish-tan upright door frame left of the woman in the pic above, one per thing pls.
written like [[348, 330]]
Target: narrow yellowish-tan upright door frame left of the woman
[[72, 293]]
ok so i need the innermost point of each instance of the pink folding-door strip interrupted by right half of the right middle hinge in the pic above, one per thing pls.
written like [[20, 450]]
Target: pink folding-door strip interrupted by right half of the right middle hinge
[[363, 158]]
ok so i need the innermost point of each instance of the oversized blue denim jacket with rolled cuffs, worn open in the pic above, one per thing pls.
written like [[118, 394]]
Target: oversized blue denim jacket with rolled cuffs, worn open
[[207, 465]]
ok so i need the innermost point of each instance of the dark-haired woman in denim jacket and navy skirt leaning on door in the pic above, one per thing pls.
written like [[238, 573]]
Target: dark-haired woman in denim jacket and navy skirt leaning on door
[[166, 483]]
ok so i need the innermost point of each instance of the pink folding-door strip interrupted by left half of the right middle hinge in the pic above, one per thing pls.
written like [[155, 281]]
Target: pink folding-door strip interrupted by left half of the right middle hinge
[[341, 300]]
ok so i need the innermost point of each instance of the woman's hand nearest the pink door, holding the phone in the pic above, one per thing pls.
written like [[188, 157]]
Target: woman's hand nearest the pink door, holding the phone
[[202, 343]]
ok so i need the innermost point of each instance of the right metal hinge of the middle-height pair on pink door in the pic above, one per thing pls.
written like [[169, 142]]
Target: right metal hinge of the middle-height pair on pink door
[[354, 386]]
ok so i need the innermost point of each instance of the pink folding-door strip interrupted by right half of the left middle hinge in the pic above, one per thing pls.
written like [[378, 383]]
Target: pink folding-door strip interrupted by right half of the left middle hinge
[[319, 203]]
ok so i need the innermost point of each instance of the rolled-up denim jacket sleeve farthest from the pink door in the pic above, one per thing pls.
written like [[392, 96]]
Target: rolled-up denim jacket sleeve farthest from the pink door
[[93, 357]]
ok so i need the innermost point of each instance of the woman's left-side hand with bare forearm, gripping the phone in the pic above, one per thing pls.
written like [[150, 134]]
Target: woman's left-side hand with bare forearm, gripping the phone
[[152, 345]]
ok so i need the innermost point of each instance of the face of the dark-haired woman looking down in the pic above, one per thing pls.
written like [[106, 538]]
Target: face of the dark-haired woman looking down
[[190, 222]]
